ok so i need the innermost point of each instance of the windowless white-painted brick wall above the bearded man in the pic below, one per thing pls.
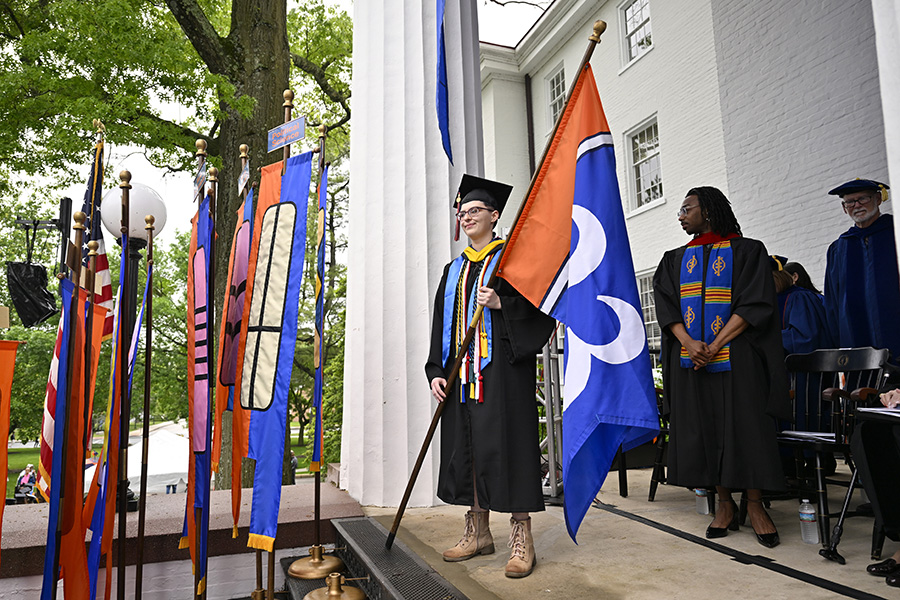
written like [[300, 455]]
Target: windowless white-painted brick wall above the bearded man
[[801, 113]]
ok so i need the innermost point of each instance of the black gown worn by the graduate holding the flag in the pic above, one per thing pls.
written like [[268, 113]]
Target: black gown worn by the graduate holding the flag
[[499, 435]]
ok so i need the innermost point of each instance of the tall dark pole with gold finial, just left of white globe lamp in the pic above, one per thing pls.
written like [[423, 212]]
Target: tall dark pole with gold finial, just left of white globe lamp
[[125, 333]]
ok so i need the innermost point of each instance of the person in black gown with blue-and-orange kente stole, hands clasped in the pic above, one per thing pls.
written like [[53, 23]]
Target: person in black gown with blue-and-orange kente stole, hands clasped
[[722, 362]]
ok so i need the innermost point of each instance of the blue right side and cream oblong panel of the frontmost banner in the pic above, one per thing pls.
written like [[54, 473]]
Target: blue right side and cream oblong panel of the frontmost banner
[[271, 337]]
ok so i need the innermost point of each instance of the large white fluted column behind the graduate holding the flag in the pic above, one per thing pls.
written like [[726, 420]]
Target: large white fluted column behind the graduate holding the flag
[[400, 232]]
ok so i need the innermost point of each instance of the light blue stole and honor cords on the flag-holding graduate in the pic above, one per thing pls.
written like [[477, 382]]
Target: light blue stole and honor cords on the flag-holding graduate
[[478, 355]]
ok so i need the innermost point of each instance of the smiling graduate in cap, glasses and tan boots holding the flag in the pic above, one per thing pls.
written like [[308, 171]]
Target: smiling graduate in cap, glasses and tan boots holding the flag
[[490, 455]]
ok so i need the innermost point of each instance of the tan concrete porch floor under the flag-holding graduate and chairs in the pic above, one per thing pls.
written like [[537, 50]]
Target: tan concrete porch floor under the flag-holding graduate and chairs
[[635, 549]]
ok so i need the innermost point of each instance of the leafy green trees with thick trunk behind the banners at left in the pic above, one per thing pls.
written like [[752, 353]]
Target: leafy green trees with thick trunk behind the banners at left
[[161, 74]]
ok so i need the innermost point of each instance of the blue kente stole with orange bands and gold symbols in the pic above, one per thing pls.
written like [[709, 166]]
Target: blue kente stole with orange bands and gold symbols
[[705, 310]]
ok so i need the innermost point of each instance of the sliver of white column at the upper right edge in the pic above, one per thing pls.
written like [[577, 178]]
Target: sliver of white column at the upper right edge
[[886, 14]]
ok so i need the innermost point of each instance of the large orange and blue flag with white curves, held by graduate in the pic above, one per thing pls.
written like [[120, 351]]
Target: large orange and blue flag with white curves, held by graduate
[[569, 255]]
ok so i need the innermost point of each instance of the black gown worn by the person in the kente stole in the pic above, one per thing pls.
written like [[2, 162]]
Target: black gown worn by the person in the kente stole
[[722, 430]]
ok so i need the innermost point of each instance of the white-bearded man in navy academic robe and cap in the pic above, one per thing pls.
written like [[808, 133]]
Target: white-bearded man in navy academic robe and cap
[[862, 286]]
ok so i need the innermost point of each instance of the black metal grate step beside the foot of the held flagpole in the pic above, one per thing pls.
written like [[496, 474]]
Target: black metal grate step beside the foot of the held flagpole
[[395, 574]]
